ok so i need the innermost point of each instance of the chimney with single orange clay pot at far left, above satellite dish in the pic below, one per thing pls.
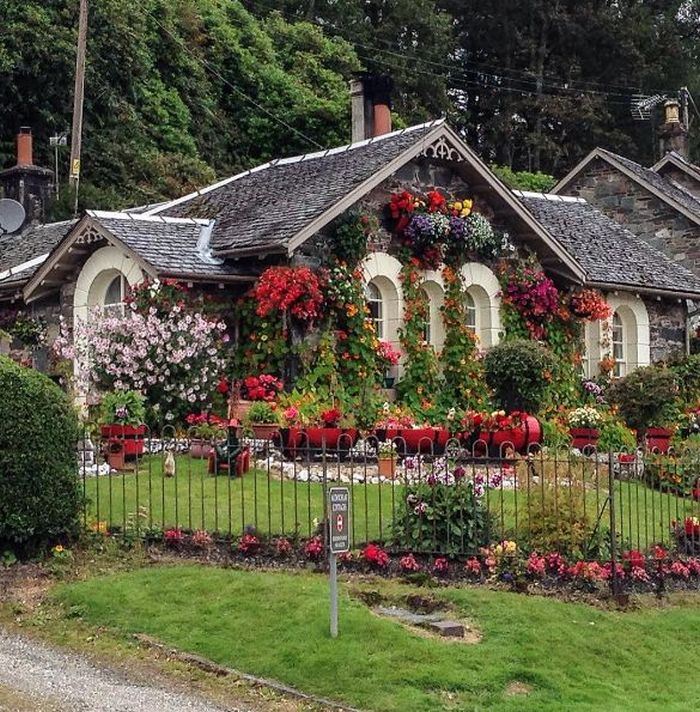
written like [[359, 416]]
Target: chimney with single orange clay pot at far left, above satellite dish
[[26, 183]]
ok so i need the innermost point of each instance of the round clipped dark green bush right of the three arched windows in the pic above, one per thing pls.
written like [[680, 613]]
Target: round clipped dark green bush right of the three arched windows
[[518, 372]]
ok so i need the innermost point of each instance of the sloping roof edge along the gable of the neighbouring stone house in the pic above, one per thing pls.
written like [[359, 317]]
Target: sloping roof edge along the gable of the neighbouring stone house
[[668, 191]]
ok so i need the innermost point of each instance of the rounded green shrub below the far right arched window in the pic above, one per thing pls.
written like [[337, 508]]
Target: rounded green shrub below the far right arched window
[[646, 397]]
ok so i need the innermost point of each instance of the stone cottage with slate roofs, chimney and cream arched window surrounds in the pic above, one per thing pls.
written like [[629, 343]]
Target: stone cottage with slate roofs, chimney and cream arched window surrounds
[[222, 236]]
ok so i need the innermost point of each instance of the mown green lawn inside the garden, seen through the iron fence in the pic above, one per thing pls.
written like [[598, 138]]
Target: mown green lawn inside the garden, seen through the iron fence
[[194, 500]]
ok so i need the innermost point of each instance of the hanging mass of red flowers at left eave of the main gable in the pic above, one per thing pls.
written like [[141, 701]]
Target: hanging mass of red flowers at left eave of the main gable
[[296, 291]]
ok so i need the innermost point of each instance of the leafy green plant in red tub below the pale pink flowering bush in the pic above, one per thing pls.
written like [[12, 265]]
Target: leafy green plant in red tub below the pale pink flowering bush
[[122, 414]]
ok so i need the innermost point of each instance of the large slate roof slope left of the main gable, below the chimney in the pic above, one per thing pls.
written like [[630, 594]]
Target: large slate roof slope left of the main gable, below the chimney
[[264, 208]]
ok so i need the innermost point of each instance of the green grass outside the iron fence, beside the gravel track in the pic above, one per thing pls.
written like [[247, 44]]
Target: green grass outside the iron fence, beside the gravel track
[[573, 657]]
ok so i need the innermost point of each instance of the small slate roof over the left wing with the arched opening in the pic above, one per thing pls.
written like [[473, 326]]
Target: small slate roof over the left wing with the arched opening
[[173, 246]]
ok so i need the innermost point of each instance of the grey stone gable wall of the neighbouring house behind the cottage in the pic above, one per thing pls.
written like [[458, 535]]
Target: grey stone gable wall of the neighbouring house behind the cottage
[[639, 211]]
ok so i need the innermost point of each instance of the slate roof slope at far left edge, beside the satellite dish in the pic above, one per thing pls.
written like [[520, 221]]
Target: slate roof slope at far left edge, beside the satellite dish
[[16, 250]]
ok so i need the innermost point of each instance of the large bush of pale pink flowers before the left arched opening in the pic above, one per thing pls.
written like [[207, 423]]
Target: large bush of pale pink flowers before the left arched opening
[[172, 356]]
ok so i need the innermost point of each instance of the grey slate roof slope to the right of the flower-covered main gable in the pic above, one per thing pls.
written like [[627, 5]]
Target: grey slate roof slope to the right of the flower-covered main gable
[[608, 252]]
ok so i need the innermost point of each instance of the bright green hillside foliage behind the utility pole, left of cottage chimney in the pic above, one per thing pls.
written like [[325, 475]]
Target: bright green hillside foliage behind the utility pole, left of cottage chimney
[[165, 110]]
